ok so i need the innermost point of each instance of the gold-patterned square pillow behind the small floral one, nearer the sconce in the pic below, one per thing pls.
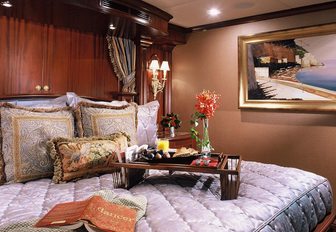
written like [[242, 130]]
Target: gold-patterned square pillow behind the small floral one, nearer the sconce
[[100, 120]]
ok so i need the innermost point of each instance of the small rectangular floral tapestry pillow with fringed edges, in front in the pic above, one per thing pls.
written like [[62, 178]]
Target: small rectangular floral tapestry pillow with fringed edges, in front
[[82, 157]]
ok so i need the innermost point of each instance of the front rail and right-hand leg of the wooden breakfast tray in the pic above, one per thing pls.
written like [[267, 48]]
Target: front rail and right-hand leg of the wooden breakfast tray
[[228, 168]]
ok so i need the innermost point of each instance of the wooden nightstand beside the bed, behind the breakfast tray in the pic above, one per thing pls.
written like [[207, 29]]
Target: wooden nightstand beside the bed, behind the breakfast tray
[[181, 139]]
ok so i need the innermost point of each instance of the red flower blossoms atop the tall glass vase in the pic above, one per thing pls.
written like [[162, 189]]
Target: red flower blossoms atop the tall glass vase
[[207, 103]]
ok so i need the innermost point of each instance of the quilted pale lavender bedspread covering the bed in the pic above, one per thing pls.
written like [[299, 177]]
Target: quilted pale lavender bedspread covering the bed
[[271, 198]]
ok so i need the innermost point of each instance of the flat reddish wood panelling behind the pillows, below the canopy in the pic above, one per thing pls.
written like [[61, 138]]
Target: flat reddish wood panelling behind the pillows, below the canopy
[[63, 59]]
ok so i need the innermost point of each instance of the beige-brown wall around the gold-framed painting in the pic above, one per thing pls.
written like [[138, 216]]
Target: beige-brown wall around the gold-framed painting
[[210, 61]]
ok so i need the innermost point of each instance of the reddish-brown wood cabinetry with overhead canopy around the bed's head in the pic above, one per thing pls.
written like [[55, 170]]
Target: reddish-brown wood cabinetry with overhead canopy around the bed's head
[[51, 47]]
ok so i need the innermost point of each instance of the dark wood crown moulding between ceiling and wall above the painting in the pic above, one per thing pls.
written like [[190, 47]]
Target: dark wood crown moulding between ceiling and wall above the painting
[[271, 15]]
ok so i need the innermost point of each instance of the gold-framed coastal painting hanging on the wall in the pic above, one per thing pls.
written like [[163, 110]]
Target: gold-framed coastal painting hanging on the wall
[[292, 69]]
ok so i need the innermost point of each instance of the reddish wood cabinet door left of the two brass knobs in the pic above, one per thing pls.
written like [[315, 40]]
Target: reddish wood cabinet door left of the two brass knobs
[[22, 55]]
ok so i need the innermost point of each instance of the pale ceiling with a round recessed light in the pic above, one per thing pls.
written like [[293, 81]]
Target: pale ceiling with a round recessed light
[[192, 13]]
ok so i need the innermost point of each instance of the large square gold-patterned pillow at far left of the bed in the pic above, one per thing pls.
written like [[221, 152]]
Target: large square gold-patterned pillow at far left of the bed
[[25, 132]]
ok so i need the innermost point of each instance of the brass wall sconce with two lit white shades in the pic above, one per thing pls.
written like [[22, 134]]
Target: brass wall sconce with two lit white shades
[[158, 85]]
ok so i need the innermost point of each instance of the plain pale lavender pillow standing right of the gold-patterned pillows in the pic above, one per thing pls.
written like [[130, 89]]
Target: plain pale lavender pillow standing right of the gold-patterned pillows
[[147, 126]]
